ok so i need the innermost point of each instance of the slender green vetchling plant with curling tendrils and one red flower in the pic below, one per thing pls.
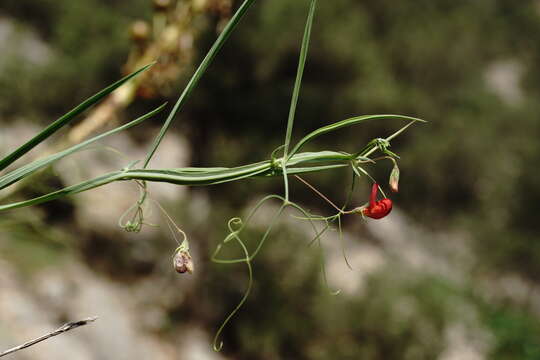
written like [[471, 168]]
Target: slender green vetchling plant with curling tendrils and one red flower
[[285, 162]]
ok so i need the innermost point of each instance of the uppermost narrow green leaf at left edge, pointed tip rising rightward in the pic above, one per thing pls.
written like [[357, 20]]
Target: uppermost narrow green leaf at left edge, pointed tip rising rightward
[[65, 119]]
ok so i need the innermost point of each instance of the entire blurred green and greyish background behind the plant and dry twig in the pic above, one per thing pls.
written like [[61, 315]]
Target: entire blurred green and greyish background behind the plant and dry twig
[[452, 273]]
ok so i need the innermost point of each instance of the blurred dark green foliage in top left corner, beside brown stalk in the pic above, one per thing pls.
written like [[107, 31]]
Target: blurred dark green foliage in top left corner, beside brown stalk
[[89, 42]]
